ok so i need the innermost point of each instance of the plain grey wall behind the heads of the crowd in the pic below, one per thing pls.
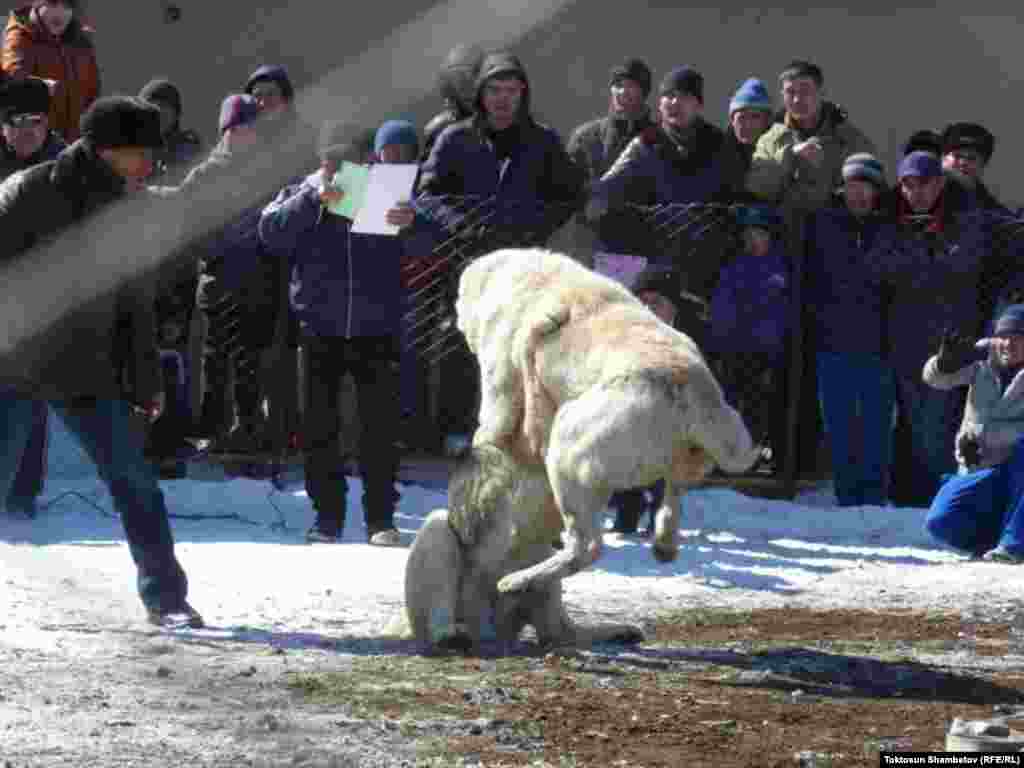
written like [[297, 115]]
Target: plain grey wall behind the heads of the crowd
[[895, 70]]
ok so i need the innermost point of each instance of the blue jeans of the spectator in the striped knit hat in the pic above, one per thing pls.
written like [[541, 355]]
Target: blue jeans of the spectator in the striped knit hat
[[848, 385]]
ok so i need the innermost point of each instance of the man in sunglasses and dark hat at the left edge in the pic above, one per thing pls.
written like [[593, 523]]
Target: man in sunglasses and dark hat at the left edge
[[28, 141]]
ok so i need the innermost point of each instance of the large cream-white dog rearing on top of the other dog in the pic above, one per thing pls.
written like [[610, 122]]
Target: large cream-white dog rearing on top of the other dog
[[579, 377]]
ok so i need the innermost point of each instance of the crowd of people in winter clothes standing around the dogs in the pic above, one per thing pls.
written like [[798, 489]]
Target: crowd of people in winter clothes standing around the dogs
[[807, 245]]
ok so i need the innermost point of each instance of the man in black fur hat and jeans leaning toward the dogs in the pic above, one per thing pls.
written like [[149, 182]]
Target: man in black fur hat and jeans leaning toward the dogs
[[78, 364]]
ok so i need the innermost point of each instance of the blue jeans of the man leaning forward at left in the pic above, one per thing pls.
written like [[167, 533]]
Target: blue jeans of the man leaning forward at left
[[106, 432]]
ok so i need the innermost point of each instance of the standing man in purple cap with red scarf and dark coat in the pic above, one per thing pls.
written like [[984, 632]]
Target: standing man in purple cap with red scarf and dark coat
[[941, 272]]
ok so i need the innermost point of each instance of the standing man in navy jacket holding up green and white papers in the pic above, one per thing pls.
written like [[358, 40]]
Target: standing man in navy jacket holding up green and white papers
[[346, 231]]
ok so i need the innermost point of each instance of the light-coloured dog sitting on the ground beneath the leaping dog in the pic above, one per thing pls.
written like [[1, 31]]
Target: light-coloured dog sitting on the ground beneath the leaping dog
[[501, 519]]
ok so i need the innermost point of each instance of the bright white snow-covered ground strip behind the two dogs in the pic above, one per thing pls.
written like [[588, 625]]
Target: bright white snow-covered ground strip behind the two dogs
[[252, 569]]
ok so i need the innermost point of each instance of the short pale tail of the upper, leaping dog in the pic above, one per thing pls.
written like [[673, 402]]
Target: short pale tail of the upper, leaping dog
[[719, 429]]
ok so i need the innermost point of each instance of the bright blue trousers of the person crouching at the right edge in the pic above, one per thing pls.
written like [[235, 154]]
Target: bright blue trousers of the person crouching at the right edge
[[983, 509]]
